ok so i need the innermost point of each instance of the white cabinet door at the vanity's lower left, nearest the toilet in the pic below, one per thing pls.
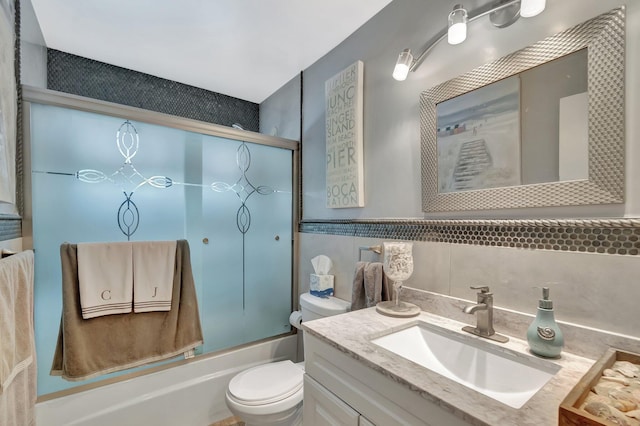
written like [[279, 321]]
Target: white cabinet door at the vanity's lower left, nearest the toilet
[[322, 408]]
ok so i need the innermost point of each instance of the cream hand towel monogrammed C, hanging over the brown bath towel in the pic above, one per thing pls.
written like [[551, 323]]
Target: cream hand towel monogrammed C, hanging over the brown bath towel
[[105, 276]]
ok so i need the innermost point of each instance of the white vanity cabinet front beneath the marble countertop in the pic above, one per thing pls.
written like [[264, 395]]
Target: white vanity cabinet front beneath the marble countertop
[[339, 390]]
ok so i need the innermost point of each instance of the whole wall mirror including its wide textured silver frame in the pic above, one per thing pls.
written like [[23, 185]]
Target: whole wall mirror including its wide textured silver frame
[[543, 126]]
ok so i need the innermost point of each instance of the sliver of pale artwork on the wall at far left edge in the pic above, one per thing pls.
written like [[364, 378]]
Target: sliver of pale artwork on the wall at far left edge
[[8, 109]]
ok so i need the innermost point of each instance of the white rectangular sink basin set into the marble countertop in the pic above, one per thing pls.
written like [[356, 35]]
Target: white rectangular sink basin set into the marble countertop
[[479, 365]]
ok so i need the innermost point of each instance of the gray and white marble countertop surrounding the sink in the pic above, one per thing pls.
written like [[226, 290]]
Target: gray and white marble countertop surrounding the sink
[[351, 334]]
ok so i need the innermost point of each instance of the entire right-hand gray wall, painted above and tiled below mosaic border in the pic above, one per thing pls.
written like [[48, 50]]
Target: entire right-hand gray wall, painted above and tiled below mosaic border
[[589, 289]]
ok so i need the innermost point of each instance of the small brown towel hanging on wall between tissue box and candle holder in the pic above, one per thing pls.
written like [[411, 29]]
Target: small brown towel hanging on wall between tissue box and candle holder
[[370, 285]]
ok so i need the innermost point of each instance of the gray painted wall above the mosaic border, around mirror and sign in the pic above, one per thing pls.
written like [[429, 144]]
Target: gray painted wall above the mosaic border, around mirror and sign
[[391, 108]]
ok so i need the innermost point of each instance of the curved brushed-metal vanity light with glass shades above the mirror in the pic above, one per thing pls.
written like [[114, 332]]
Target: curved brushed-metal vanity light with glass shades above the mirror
[[501, 14]]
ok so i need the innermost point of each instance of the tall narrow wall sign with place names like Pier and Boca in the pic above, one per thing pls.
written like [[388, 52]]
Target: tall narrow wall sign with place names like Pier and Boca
[[345, 168]]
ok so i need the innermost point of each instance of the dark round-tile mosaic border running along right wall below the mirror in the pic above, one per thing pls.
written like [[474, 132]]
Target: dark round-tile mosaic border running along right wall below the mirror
[[604, 236]]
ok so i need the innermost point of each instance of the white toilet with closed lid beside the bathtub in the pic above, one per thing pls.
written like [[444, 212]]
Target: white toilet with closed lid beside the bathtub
[[271, 394]]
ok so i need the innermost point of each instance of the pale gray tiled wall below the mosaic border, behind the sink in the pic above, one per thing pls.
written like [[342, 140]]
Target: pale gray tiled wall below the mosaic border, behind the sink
[[592, 290]]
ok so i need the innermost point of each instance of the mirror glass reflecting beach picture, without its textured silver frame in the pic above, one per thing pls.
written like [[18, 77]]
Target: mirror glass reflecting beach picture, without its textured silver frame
[[524, 129]]
